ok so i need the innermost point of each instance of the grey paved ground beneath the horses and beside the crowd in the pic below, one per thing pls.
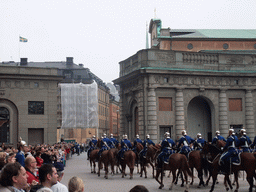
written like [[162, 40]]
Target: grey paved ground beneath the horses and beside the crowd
[[79, 166]]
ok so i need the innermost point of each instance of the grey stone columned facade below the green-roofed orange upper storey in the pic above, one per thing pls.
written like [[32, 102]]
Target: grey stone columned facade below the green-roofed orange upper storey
[[203, 87]]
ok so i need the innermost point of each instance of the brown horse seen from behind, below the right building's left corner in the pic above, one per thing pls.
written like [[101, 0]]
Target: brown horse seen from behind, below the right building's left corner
[[129, 160]]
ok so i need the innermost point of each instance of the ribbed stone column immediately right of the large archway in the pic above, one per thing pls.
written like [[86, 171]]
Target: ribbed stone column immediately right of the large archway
[[223, 113]]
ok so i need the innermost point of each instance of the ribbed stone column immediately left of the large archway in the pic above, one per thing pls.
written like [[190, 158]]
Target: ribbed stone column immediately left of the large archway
[[179, 113]]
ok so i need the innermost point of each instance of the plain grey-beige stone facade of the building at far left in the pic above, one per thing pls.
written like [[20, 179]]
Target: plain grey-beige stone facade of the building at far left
[[22, 90]]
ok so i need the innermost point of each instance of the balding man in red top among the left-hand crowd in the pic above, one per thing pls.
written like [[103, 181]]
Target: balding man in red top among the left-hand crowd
[[30, 166]]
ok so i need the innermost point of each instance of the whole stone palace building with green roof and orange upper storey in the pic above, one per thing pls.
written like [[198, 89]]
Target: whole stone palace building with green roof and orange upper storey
[[199, 80]]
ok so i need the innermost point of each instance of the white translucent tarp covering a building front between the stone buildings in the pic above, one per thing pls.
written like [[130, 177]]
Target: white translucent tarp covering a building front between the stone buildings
[[79, 104]]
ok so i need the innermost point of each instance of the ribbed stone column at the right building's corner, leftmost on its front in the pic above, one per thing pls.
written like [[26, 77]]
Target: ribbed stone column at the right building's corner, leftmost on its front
[[152, 118]]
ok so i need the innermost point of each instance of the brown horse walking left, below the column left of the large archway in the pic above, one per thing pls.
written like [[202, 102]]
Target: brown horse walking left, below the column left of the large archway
[[177, 161]]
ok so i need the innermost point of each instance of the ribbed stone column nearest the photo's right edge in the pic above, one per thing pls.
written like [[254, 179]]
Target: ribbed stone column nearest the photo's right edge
[[249, 114]]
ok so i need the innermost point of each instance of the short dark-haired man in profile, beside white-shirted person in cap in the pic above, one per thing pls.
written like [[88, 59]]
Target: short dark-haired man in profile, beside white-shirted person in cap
[[47, 176]]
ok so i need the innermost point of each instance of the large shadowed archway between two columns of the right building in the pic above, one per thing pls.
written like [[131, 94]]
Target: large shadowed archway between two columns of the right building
[[199, 118]]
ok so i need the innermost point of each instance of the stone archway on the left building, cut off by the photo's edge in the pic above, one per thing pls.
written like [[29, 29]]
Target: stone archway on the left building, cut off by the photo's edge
[[11, 126]]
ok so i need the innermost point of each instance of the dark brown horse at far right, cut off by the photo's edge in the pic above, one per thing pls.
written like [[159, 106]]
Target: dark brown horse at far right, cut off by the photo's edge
[[248, 164]]
